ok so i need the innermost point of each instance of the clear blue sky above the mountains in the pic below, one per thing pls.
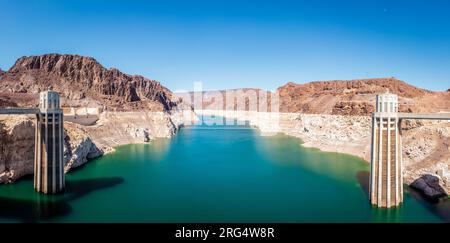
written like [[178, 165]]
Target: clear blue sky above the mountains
[[232, 44]]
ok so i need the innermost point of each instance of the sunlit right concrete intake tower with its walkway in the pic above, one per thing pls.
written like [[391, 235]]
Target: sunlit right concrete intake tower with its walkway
[[386, 170]]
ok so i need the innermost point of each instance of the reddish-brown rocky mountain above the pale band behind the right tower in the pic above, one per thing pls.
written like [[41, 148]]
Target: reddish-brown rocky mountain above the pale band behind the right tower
[[352, 97]]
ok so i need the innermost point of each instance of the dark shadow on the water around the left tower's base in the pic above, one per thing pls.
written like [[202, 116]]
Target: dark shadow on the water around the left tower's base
[[44, 207]]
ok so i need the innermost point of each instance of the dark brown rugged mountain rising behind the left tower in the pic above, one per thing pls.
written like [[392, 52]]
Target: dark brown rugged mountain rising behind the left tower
[[82, 81]]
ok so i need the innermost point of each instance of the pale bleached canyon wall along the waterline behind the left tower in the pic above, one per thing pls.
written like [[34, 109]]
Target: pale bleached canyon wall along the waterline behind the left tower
[[83, 143]]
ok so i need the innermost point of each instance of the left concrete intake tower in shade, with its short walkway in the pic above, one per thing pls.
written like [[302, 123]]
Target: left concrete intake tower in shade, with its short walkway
[[49, 142]]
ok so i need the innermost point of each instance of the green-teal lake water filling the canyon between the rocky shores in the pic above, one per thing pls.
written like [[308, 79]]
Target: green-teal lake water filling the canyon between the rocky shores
[[220, 174]]
